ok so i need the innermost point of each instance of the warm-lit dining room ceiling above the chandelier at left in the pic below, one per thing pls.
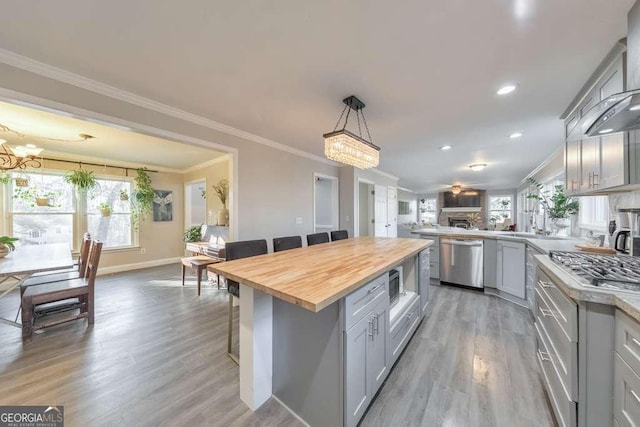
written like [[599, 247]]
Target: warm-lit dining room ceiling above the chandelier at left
[[110, 144]]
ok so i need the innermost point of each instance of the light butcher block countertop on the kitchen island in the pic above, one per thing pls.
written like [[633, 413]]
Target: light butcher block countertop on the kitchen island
[[315, 277]]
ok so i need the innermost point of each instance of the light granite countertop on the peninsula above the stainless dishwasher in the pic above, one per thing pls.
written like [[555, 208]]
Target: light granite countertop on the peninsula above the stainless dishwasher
[[544, 245]]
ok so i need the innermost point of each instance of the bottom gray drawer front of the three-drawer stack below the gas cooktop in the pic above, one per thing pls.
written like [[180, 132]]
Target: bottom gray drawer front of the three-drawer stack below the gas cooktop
[[564, 409]]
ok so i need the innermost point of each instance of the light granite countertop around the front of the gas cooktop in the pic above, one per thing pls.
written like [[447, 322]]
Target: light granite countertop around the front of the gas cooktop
[[627, 301]]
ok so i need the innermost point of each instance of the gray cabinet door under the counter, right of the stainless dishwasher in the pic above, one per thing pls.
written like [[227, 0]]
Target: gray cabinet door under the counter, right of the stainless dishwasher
[[511, 268]]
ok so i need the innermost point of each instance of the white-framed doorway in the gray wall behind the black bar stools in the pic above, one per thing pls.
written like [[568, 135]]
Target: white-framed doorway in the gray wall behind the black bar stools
[[325, 203]]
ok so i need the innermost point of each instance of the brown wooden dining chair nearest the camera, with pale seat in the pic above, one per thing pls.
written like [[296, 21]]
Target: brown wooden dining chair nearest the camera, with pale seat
[[56, 298]]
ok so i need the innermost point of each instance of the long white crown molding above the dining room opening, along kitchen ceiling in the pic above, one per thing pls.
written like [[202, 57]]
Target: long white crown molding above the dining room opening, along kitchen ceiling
[[31, 65]]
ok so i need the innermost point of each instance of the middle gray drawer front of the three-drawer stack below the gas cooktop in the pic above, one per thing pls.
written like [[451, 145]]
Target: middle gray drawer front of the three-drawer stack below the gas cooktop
[[562, 351]]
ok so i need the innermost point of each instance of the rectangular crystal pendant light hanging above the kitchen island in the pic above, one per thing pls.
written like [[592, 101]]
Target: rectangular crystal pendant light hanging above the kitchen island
[[348, 148]]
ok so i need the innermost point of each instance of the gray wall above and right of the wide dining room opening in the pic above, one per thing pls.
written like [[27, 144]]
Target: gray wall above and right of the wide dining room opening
[[274, 186]]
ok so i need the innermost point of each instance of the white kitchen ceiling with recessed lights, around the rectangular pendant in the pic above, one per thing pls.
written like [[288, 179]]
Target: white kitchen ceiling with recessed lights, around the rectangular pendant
[[427, 70]]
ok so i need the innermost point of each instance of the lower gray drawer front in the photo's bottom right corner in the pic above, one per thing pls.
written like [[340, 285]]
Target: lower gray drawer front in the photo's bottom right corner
[[626, 394]]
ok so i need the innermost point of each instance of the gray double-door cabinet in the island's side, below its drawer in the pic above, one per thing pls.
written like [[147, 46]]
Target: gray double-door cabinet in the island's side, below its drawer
[[366, 361]]
